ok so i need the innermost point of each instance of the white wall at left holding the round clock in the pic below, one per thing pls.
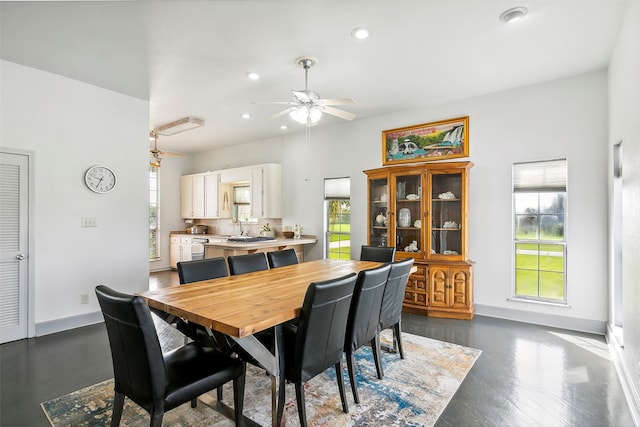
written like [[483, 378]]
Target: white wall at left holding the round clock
[[70, 126]]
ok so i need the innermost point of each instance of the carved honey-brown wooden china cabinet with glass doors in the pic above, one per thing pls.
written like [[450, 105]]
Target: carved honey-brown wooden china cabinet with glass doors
[[422, 210]]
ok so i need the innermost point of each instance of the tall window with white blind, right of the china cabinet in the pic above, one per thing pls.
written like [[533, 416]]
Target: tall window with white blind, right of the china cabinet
[[539, 205]]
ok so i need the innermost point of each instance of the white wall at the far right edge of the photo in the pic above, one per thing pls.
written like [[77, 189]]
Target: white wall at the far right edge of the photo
[[624, 111]]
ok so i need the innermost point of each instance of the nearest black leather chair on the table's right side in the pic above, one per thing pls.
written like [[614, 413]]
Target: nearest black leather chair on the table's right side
[[316, 342]]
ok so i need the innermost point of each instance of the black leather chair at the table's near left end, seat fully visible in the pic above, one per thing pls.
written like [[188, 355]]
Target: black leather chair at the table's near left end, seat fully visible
[[160, 382]]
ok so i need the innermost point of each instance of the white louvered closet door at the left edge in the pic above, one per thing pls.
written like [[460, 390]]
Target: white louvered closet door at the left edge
[[14, 185]]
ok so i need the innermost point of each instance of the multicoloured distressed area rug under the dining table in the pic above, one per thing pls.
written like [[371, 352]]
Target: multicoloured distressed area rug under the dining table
[[413, 392]]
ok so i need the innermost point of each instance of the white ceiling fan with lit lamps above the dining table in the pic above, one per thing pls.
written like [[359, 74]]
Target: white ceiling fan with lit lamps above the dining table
[[307, 107]]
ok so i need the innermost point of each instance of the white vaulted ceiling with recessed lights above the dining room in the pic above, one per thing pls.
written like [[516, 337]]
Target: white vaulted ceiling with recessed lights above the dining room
[[190, 58]]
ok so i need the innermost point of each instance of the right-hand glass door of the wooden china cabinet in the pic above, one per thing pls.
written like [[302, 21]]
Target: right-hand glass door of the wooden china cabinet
[[446, 215]]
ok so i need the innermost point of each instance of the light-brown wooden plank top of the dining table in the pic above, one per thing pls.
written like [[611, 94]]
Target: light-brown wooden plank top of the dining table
[[242, 305]]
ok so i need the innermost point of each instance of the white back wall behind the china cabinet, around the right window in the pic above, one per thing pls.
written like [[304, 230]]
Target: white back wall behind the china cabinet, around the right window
[[560, 119]]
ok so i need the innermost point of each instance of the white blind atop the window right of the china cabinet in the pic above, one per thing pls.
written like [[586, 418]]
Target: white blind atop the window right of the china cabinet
[[550, 175]]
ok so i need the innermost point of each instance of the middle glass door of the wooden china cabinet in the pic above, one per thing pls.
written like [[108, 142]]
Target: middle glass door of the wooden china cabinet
[[408, 213]]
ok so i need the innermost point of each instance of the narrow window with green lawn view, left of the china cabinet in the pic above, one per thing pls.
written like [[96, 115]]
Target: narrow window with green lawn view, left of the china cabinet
[[337, 205]]
